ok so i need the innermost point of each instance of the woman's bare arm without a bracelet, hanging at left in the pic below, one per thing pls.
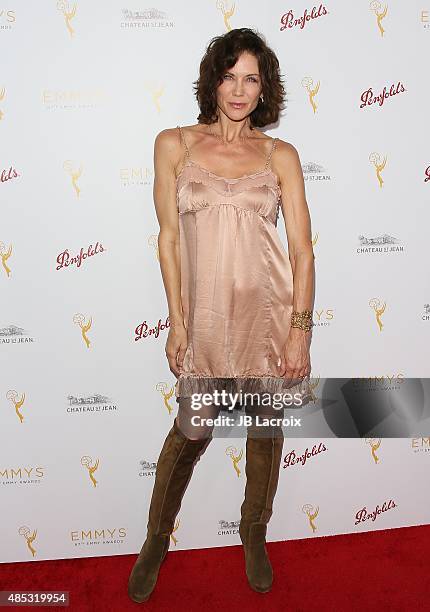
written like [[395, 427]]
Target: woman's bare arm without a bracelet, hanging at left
[[167, 152]]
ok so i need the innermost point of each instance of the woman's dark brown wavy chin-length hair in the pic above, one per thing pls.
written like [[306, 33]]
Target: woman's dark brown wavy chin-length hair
[[221, 54]]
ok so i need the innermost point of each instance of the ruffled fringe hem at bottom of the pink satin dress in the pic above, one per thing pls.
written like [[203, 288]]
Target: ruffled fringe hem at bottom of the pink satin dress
[[187, 385]]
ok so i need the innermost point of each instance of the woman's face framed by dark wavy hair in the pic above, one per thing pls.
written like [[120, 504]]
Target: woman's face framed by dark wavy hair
[[238, 94]]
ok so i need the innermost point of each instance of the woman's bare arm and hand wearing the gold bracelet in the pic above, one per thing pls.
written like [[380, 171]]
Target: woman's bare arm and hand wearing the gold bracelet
[[295, 211]]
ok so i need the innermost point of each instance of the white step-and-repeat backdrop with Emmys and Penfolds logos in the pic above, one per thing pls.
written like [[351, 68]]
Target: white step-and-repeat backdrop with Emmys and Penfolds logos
[[86, 394]]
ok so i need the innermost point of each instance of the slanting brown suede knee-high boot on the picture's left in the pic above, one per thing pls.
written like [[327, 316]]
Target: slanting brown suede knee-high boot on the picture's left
[[174, 468]]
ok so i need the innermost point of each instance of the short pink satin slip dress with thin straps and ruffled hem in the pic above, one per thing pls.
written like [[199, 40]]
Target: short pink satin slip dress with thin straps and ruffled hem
[[236, 282]]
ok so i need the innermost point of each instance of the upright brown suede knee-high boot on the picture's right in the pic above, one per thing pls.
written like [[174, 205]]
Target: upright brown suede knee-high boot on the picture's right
[[263, 458]]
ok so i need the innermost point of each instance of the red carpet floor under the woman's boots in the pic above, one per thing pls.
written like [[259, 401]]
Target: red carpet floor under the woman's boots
[[368, 571]]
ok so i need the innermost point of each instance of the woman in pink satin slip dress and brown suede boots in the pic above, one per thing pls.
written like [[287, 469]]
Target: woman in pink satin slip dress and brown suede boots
[[239, 306]]
